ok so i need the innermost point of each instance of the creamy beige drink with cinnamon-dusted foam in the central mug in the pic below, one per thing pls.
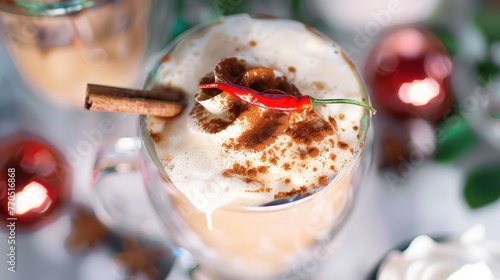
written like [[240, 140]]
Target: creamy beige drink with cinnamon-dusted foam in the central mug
[[226, 162]]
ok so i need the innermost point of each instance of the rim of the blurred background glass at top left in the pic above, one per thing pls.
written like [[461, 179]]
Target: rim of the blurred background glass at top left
[[30, 8]]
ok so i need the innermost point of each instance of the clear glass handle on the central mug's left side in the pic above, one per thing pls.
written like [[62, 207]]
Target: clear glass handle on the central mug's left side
[[120, 198]]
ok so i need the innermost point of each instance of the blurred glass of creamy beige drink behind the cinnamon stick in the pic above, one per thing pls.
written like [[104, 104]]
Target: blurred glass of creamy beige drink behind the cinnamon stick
[[60, 46]]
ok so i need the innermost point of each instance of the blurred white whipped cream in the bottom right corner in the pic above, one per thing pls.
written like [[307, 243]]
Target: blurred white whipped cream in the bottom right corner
[[471, 256]]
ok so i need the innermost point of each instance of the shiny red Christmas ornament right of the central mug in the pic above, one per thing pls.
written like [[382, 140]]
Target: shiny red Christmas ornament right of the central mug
[[408, 73]]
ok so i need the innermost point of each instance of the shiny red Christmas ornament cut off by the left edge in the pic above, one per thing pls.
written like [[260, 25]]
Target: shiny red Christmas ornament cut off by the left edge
[[34, 181]]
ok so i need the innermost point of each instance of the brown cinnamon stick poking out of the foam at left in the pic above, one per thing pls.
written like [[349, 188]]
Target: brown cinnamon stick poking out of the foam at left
[[124, 100]]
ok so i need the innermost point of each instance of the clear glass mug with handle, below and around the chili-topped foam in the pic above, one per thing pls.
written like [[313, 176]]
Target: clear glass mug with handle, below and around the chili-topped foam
[[284, 241]]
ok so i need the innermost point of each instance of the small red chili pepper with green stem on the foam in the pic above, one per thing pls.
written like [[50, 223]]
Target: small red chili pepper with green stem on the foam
[[281, 102]]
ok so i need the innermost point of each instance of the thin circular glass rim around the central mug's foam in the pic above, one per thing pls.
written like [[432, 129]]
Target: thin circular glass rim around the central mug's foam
[[149, 145]]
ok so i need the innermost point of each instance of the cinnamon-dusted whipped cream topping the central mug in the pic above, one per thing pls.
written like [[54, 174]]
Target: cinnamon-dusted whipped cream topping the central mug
[[258, 155]]
